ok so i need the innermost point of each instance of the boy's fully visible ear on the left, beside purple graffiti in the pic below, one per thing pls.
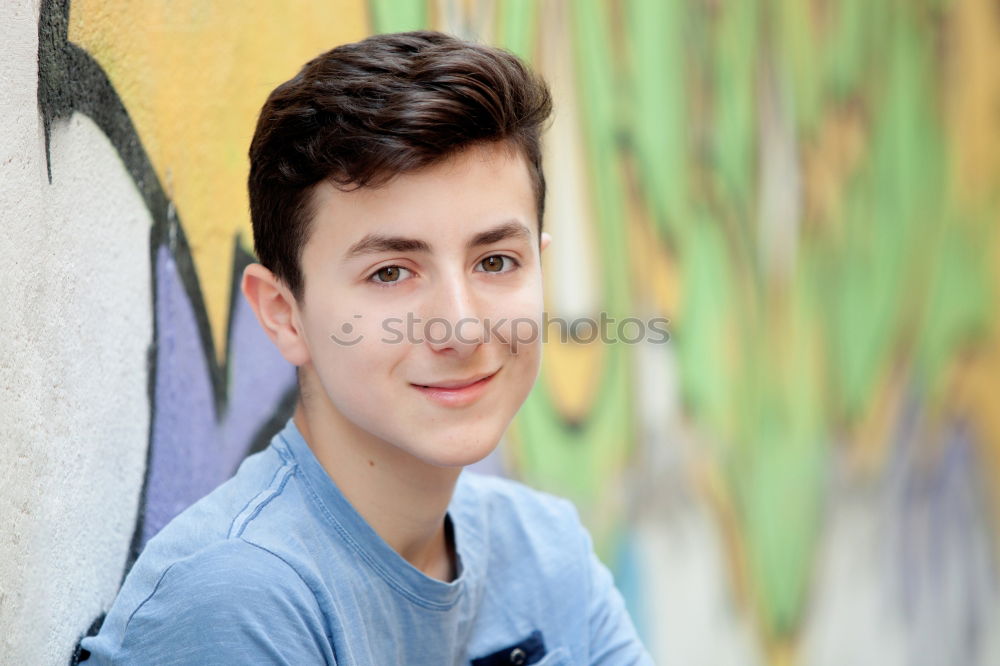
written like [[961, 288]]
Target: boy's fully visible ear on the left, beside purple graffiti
[[277, 312]]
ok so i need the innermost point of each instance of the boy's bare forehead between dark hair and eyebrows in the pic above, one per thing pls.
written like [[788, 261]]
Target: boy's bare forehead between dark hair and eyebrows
[[450, 201]]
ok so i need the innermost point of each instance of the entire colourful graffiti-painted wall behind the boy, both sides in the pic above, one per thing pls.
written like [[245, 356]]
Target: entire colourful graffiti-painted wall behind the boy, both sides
[[805, 473]]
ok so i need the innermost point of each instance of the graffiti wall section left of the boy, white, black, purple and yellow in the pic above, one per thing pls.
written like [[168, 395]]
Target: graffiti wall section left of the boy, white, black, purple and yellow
[[137, 380]]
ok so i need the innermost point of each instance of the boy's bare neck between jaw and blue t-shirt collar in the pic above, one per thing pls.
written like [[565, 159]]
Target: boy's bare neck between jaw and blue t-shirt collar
[[401, 497]]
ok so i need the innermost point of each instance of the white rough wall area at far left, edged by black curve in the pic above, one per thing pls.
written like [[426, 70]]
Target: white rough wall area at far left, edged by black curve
[[77, 328]]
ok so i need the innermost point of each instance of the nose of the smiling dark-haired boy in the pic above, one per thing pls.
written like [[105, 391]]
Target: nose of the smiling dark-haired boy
[[454, 326]]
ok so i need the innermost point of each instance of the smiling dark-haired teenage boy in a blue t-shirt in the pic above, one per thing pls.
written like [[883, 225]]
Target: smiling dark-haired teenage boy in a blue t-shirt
[[396, 196]]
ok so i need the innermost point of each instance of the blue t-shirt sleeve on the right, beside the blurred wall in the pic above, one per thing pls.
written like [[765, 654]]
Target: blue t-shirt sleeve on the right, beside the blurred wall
[[613, 637]]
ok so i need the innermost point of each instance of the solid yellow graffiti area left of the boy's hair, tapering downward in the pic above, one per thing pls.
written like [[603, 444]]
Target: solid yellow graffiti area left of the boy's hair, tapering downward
[[193, 76]]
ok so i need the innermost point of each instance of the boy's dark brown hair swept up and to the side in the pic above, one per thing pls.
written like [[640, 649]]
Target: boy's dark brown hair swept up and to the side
[[362, 113]]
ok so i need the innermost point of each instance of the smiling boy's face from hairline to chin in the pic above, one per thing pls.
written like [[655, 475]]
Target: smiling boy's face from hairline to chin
[[422, 306]]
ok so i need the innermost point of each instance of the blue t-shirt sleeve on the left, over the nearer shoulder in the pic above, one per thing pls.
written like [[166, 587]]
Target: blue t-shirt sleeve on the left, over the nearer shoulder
[[234, 604]]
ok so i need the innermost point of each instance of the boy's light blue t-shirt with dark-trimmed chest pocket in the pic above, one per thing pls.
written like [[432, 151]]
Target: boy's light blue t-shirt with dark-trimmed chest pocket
[[275, 566]]
